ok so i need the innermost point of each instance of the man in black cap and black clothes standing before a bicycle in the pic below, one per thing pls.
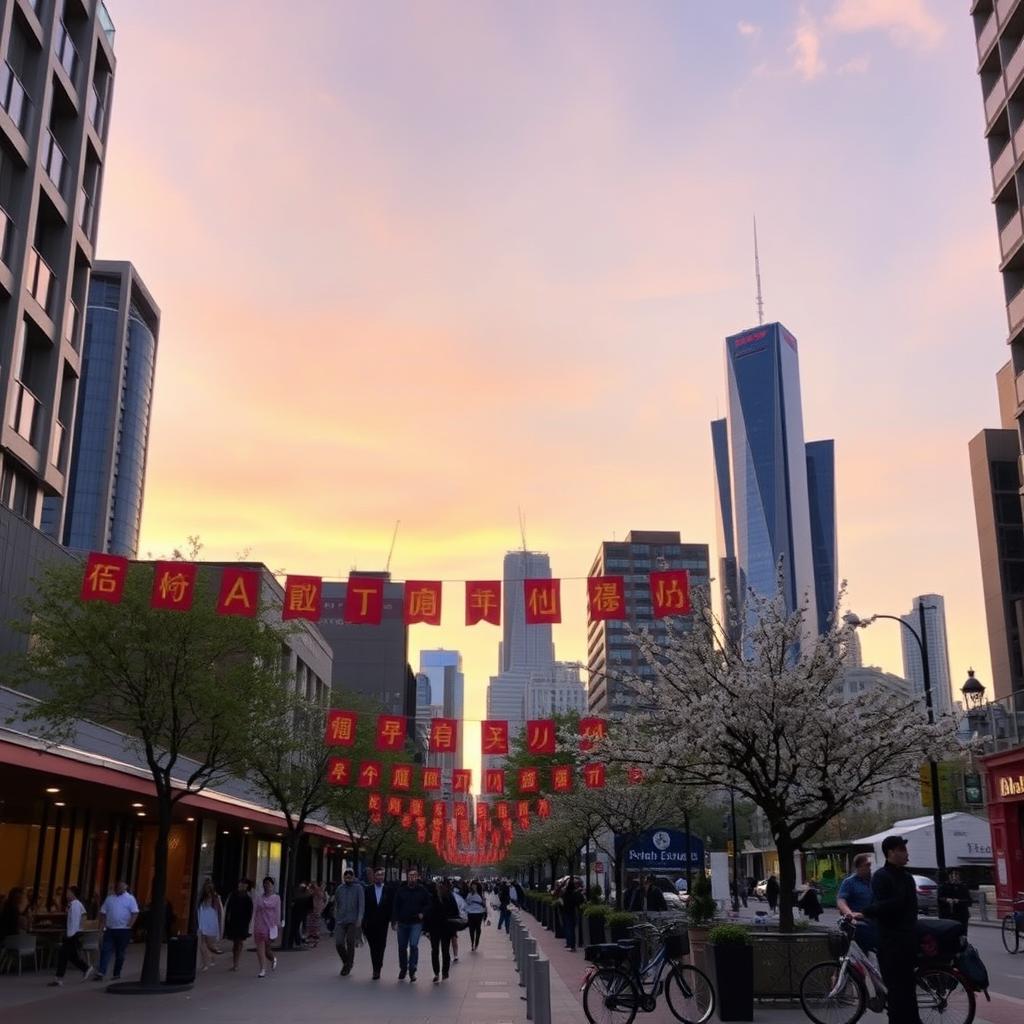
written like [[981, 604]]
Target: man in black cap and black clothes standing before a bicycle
[[894, 907]]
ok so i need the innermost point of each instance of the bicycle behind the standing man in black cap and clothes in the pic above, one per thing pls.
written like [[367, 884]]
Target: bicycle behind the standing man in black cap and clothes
[[839, 992]]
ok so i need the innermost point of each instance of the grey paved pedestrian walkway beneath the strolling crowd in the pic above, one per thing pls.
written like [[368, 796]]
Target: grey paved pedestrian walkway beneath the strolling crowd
[[307, 988]]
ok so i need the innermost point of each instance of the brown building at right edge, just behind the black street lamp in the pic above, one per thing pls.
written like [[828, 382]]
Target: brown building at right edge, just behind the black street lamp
[[996, 481]]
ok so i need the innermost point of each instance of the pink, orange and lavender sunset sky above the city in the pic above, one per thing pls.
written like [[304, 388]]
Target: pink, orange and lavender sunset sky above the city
[[439, 263]]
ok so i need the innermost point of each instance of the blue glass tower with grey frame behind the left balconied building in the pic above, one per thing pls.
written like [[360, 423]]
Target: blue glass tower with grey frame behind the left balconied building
[[104, 507]]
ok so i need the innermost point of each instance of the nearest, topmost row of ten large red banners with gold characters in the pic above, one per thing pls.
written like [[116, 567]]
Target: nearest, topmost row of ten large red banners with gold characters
[[175, 589]]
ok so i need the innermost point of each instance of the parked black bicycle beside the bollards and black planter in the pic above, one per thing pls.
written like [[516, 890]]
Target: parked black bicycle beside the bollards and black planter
[[617, 987]]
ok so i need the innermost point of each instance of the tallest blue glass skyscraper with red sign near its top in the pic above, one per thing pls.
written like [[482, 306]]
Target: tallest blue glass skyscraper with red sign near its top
[[762, 466]]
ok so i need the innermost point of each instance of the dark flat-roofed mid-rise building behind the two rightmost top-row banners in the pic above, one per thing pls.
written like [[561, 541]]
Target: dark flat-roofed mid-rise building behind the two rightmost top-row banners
[[611, 653]]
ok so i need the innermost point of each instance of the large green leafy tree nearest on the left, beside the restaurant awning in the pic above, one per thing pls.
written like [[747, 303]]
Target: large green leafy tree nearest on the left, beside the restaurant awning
[[186, 687]]
